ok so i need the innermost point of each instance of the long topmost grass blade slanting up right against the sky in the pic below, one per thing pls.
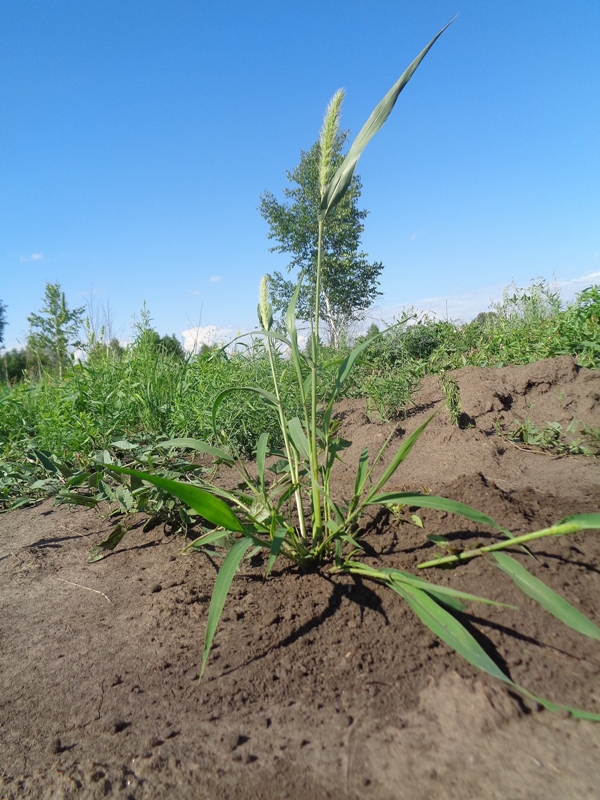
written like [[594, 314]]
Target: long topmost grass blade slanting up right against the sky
[[341, 180]]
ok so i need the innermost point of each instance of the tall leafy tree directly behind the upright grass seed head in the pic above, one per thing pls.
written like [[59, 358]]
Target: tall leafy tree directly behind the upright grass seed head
[[349, 282]]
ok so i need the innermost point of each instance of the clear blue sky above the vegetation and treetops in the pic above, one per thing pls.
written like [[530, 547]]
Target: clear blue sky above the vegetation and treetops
[[136, 139]]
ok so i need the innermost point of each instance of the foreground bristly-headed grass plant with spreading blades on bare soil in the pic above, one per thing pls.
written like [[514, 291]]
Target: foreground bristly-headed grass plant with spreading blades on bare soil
[[289, 508]]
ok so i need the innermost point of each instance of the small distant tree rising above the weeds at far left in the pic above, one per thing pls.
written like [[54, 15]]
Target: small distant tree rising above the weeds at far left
[[53, 332]]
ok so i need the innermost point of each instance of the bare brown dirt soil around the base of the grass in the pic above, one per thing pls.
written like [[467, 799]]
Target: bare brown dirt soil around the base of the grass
[[317, 687]]
